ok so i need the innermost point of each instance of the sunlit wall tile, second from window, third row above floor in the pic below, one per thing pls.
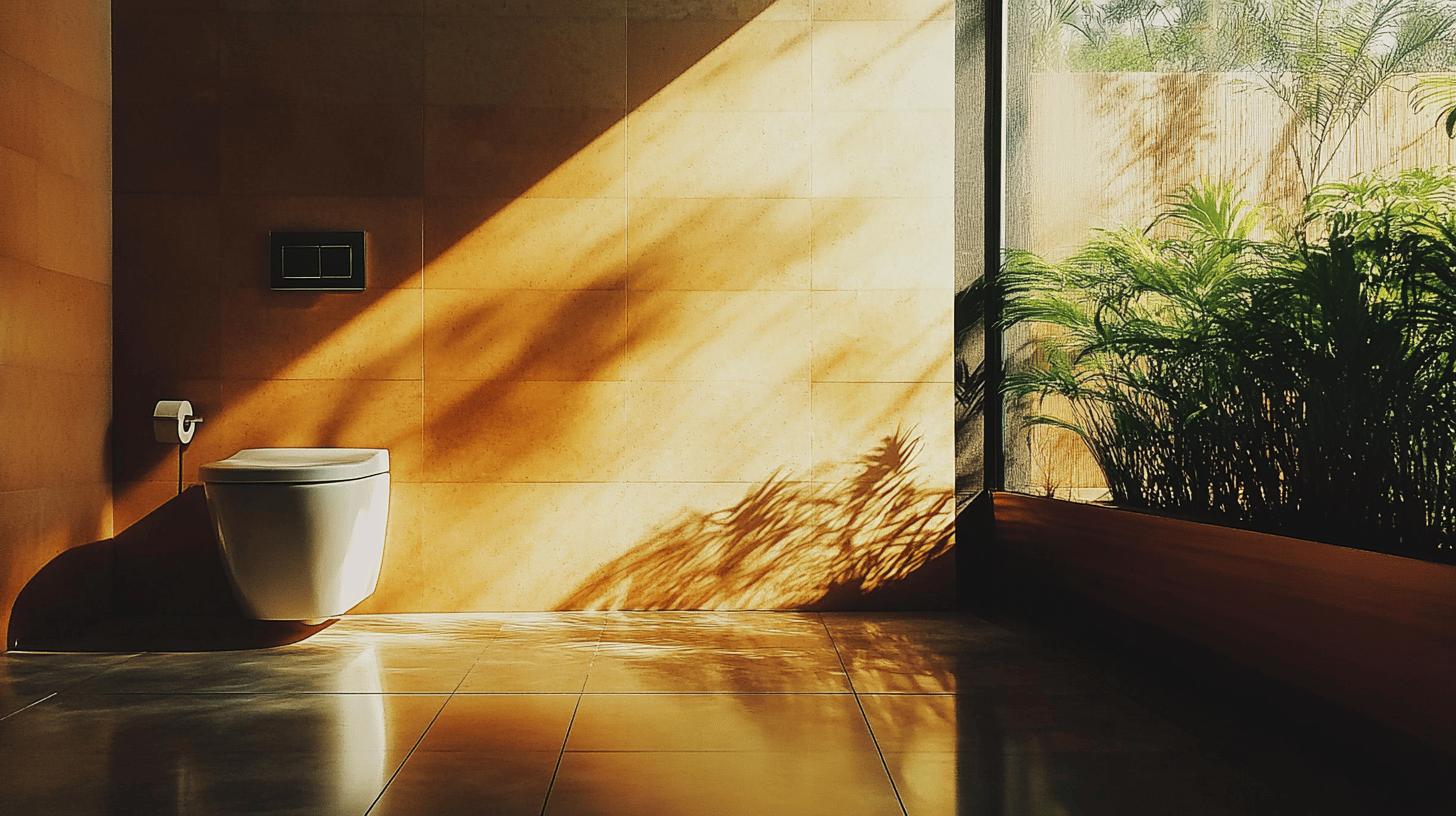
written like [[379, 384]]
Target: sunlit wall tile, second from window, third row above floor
[[719, 336]]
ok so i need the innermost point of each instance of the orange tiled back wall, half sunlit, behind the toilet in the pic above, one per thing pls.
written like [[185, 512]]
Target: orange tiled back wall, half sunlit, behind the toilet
[[630, 260]]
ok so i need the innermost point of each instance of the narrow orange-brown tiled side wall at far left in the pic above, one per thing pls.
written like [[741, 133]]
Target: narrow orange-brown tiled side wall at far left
[[55, 283]]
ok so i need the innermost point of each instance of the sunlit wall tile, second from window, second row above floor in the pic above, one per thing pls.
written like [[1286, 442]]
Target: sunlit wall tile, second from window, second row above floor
[[717, 431]]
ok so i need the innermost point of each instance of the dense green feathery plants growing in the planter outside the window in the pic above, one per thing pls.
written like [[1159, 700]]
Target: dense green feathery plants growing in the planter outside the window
[[1299, 381]]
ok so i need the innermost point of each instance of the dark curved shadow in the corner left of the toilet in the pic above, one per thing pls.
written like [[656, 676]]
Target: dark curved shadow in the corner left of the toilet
[[158, 586]]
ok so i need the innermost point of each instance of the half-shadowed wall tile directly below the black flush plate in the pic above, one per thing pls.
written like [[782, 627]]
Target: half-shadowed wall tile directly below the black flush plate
[[321, 336]]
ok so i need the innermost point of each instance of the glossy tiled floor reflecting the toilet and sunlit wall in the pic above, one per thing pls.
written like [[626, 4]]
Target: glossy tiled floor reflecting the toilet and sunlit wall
[[634, 713]]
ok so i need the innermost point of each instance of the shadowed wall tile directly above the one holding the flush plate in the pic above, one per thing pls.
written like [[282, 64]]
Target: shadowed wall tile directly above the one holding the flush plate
[[321, 149]]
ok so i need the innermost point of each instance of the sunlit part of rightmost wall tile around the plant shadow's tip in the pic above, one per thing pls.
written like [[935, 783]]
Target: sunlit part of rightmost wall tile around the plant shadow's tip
[[852, 420]]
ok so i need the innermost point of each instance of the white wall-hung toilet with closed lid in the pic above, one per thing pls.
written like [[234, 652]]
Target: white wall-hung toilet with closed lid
[[302, 530]]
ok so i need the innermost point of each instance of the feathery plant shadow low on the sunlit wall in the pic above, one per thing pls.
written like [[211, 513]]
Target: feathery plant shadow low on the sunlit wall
[[787, 543]]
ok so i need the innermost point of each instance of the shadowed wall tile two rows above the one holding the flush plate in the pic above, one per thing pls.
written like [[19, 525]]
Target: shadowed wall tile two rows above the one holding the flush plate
[[323, 59]]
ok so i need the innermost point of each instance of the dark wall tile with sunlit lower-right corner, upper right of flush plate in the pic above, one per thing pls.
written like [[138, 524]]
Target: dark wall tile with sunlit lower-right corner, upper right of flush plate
[[538, 152]]
